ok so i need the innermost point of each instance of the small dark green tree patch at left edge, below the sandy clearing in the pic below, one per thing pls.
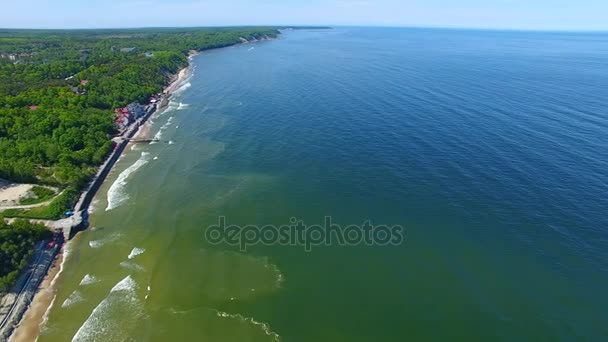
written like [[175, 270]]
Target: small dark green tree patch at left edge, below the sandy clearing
[[17, 241]]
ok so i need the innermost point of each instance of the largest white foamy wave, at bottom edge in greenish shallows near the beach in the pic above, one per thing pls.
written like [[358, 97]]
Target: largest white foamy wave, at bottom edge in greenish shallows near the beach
[[120, 311]]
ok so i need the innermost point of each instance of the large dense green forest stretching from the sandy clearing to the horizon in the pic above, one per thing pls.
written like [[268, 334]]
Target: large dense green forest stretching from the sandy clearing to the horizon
[[55, 130]]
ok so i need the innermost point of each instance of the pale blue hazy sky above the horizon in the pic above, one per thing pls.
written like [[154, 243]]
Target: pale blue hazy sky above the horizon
[[495, 14]]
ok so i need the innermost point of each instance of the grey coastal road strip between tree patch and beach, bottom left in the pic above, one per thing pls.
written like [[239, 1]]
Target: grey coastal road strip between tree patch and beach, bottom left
[[14, 304]]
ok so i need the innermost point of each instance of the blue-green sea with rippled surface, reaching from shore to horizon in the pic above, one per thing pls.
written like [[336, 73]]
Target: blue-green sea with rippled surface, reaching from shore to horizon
[[481, 155]]
